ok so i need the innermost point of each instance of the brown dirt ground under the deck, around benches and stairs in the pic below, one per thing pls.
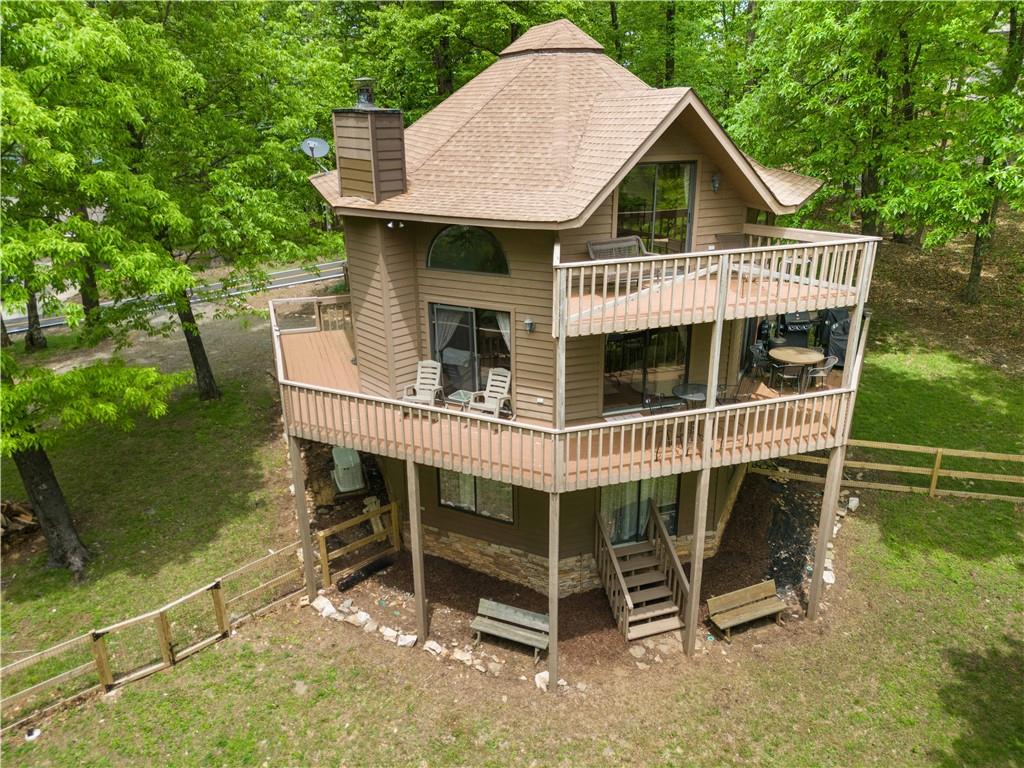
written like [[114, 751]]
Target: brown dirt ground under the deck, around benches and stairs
[[770, 534]]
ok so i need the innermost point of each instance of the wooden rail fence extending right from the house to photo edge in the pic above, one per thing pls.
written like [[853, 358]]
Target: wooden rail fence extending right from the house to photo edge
[[936, 470]]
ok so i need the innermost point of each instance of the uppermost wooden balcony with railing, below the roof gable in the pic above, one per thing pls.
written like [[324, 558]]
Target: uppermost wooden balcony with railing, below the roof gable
[[779, 271]]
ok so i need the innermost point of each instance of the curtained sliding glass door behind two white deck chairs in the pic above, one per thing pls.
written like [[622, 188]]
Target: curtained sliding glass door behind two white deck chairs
[[468, 344]]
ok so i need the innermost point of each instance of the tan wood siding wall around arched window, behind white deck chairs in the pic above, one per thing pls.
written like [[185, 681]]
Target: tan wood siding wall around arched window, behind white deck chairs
[[526, 292]]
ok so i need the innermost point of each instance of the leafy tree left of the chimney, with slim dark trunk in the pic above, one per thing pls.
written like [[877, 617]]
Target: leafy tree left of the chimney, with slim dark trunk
[[226, 152]]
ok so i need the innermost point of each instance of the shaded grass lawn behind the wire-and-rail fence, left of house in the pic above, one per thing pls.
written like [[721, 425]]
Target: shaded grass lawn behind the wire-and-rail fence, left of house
[[162, 509]]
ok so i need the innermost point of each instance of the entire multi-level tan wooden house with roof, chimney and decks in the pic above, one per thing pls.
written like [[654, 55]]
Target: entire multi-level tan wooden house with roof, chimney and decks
[[490, 235]]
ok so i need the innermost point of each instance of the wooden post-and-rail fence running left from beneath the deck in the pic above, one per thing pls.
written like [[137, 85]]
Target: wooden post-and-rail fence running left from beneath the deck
[[114, 656]]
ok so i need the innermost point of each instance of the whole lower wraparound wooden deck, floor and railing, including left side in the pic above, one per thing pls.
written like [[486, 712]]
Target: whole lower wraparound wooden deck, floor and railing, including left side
[[320, 381]]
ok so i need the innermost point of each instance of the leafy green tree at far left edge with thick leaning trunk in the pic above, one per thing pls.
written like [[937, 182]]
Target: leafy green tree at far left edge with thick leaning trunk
[[72, 82]]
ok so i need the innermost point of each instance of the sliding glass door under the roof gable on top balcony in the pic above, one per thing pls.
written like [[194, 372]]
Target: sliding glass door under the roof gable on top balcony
[[656, 203]]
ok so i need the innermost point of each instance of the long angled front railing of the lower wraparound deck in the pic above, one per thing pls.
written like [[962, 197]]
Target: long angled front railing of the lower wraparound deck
[[571, 459]]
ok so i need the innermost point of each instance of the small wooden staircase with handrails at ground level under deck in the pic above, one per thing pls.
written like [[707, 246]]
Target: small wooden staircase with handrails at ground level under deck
[[645, 581]]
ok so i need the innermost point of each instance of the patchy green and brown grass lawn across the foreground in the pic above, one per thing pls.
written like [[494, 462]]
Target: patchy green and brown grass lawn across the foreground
[[919, 663]]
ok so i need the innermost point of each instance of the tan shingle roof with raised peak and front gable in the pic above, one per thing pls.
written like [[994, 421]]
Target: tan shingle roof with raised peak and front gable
[[537, 139]]
